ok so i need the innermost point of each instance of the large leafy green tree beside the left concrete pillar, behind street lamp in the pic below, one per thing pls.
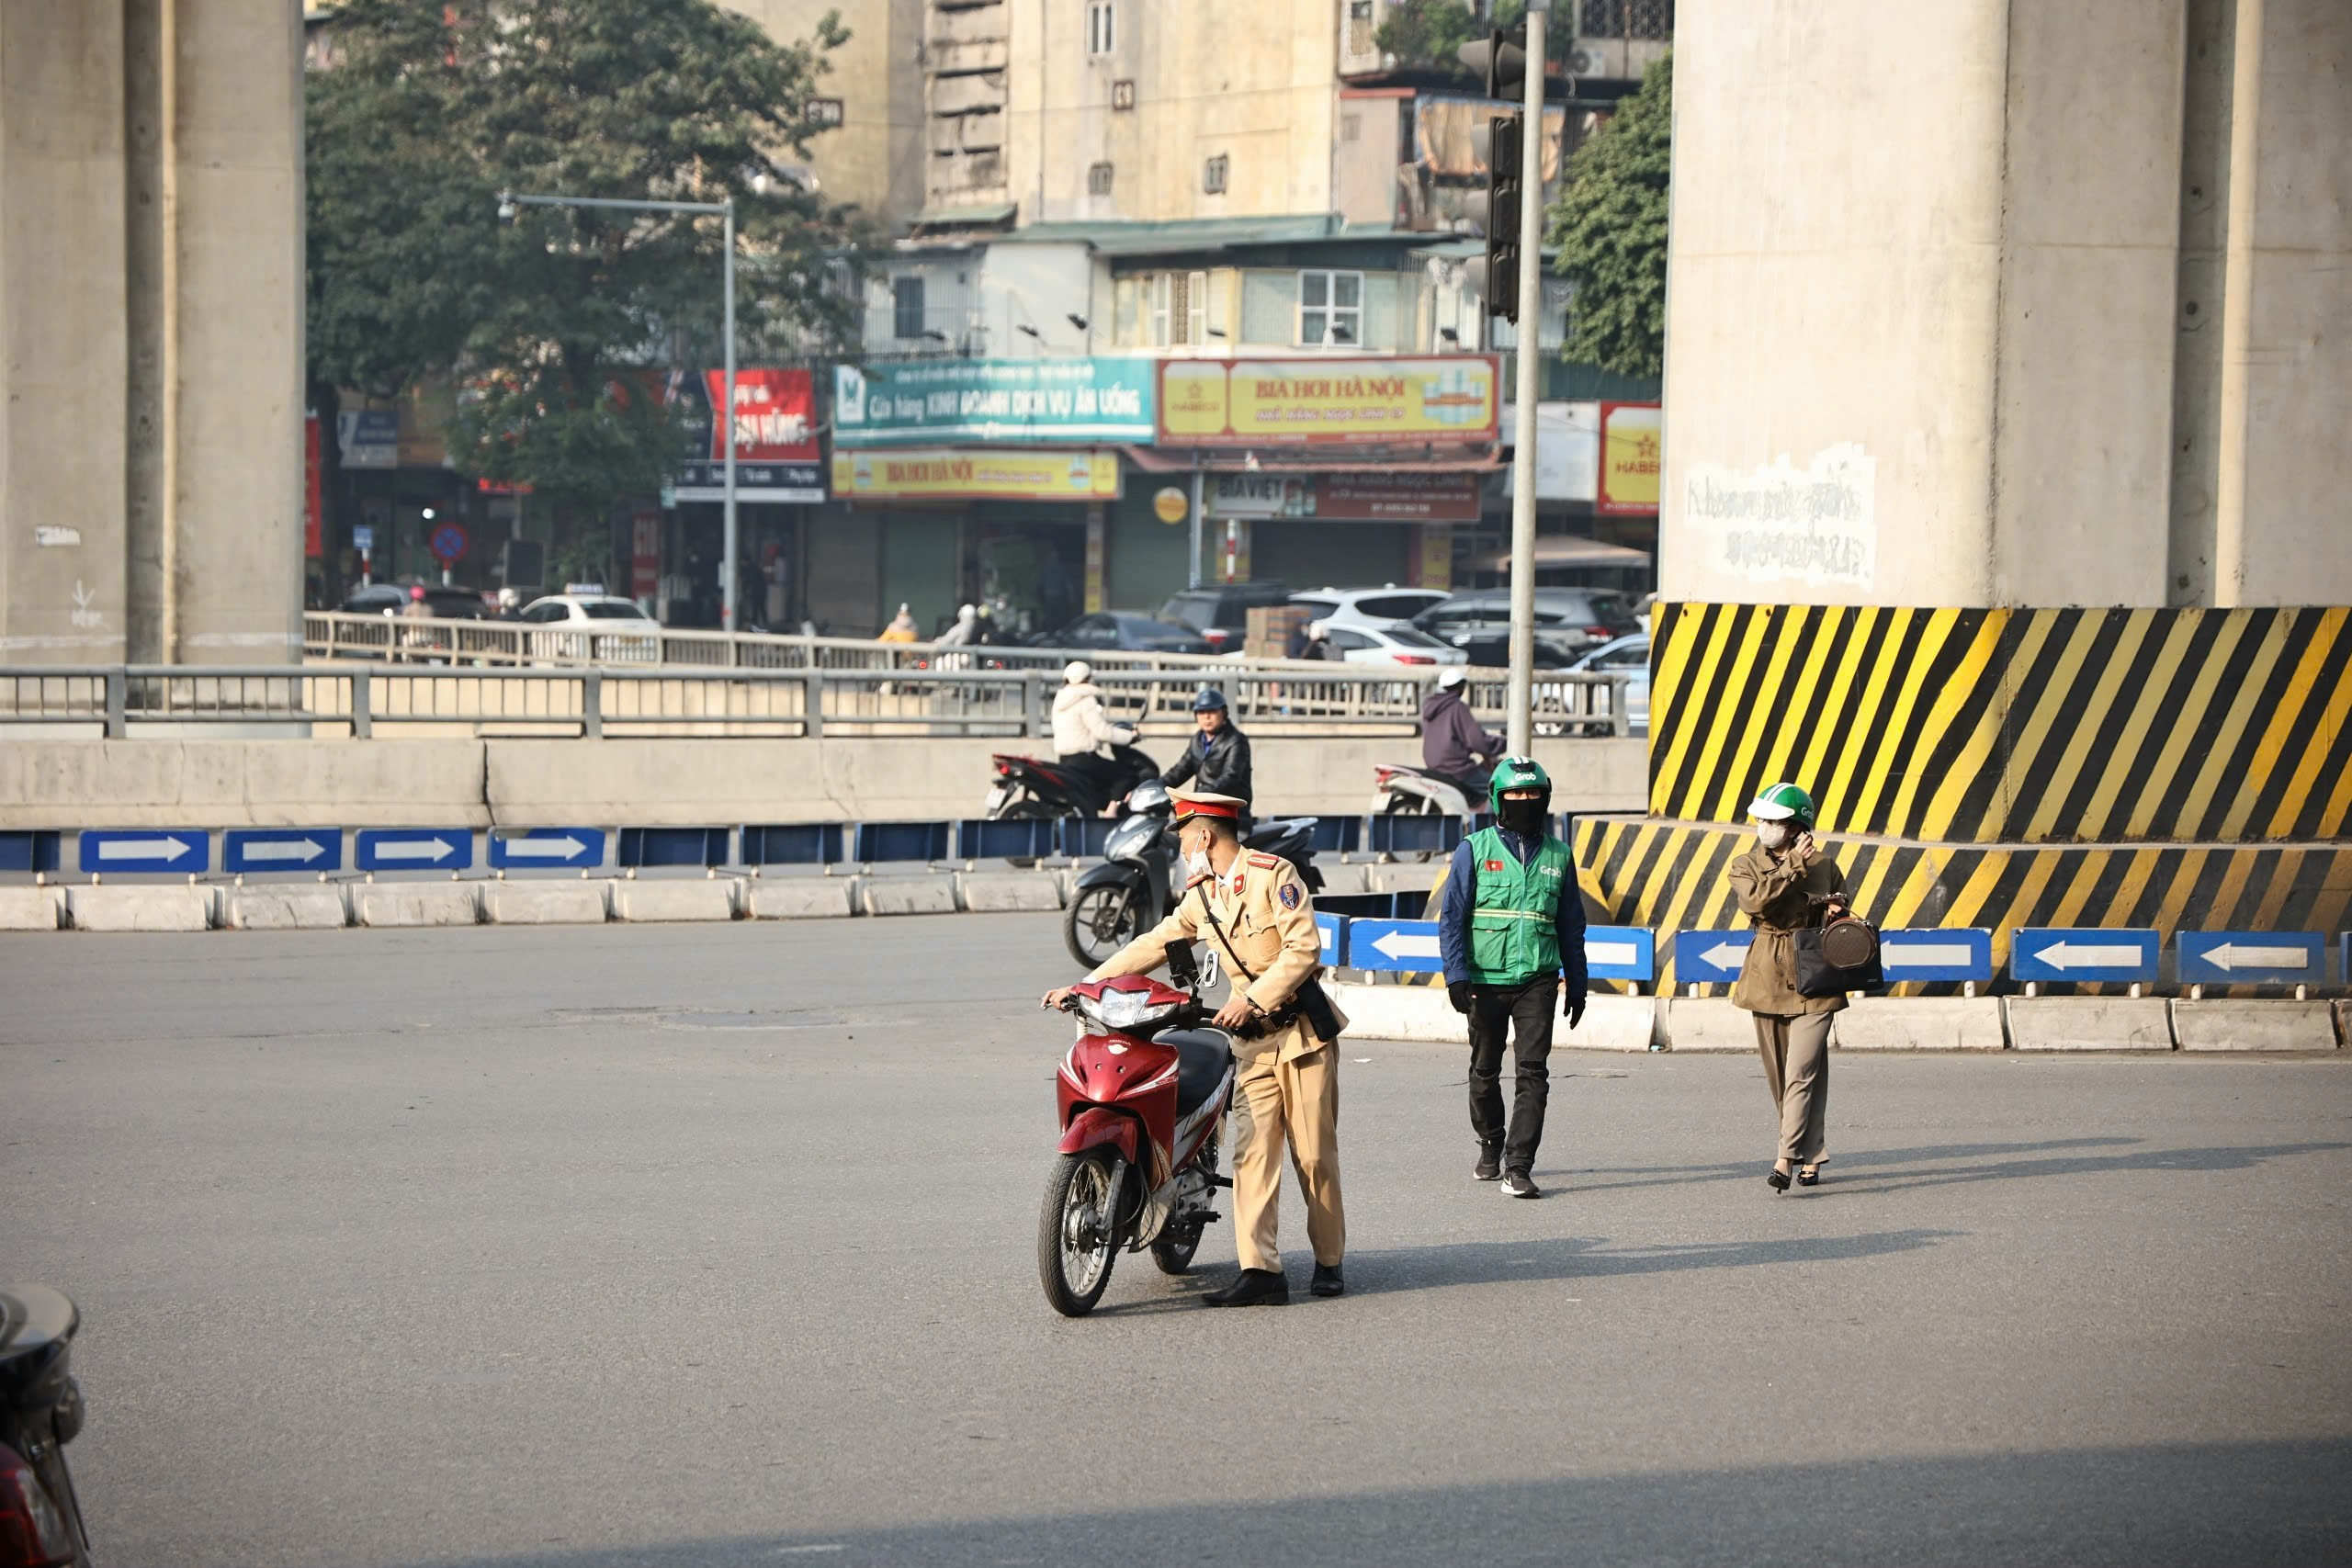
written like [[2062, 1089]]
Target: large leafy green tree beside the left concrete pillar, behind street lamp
[[559, 323]]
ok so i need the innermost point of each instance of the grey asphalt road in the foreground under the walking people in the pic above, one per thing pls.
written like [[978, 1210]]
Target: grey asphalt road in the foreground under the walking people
[[702, 1247]]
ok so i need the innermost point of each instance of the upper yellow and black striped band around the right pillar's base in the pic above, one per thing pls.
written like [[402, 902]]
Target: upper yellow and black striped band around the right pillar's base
[[2012, 725]]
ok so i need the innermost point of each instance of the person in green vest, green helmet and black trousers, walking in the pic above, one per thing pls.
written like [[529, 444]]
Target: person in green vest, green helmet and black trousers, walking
[[1511, 927]]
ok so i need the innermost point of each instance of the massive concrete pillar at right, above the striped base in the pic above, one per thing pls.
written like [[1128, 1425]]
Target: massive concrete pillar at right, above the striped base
[[1930, 304]]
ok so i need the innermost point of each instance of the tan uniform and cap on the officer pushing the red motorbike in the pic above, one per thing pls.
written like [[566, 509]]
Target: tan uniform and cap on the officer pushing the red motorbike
[[1288, 1083]]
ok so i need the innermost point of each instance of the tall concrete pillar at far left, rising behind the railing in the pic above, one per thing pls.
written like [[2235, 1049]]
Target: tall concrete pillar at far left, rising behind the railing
[[152, 333]]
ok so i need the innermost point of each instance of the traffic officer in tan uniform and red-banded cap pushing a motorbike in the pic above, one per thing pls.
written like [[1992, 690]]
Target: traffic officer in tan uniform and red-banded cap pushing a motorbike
[[1255, 913]]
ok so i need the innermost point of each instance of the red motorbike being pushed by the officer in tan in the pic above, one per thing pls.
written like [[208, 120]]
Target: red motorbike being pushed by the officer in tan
[[1140, 1101]]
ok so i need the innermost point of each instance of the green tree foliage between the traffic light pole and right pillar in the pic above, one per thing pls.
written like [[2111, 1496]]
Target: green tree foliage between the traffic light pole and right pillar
[[1610, 229]]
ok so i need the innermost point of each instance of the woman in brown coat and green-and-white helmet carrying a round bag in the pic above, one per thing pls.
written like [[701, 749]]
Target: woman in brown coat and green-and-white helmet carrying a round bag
[[1784, 885]]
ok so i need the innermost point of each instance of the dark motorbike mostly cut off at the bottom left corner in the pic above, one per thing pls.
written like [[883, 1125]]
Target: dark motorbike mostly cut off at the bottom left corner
[[41, 1412]]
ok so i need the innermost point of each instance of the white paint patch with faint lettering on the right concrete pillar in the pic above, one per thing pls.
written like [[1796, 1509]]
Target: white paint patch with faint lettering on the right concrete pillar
[[1779, 523]]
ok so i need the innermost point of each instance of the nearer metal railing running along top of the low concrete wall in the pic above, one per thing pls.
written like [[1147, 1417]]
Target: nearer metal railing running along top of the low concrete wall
[[742, 702]]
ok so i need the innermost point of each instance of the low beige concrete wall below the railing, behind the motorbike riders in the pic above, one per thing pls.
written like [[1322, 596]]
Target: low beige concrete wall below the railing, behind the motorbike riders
[[359, 784]]
